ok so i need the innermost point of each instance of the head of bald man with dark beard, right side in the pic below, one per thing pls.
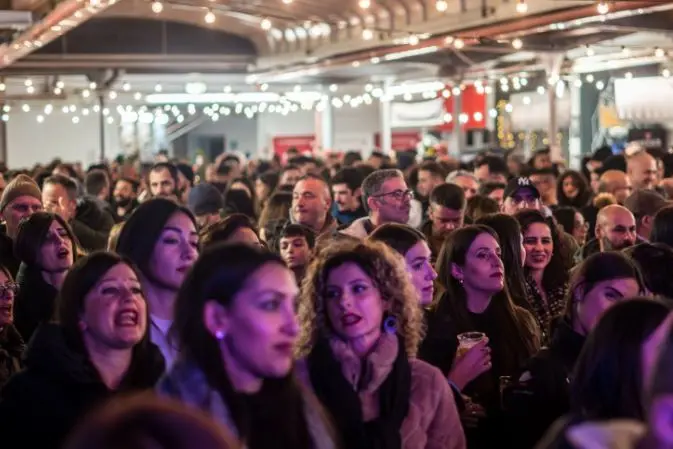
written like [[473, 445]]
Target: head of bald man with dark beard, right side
[[615, 228]]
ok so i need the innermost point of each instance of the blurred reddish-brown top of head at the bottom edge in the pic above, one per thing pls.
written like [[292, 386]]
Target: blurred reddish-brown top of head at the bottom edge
[[145, 421]]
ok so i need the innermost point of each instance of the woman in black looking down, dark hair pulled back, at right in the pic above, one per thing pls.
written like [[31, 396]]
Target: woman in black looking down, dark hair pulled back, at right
[[540, 393]]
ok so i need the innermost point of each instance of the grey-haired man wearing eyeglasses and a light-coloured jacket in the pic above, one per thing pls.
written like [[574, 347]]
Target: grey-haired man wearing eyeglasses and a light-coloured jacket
[[388, 200]]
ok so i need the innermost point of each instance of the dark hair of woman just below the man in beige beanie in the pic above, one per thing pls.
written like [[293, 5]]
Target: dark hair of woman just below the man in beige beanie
[[32, 233]]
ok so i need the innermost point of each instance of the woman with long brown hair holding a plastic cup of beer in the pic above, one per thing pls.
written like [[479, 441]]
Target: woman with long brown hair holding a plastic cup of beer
[[475, 314]]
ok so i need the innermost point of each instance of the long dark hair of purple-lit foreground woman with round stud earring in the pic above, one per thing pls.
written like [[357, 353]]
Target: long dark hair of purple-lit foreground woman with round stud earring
[[219, 274]]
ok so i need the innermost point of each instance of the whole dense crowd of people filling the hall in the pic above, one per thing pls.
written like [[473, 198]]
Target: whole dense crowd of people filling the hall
[[337, 302]]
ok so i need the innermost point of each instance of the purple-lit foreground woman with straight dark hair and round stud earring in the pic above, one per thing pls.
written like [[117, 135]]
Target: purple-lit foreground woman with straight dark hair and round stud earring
[[235, 329]]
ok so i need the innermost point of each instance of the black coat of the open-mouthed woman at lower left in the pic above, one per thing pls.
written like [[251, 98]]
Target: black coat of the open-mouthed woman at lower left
[[41, 405]]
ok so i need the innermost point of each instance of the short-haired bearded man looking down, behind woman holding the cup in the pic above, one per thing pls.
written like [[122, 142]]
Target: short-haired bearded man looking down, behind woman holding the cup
[[445, 214]]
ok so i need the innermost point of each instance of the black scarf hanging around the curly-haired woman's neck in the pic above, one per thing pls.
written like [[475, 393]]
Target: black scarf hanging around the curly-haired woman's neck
[[343, 402]]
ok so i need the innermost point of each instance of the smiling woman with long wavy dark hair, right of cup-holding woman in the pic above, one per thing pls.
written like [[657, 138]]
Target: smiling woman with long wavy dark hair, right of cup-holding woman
[[546, 275]]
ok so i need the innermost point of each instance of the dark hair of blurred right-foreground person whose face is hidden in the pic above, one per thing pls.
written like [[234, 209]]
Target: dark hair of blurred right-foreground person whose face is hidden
[[607, 381]]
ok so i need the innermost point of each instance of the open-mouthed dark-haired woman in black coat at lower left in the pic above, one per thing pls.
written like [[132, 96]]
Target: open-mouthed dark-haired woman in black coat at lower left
[[98, 348]]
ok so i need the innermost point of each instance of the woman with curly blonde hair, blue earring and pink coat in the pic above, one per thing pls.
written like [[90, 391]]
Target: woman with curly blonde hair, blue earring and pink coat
[[361, 327]]
